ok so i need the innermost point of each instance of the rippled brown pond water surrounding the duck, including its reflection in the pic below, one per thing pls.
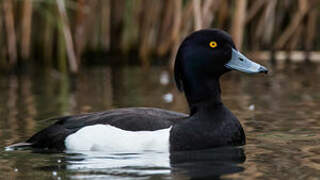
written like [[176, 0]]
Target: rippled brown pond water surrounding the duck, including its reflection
[[280, 113]]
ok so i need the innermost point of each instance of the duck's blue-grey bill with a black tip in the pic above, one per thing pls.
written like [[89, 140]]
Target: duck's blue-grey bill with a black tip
[[241, 63]]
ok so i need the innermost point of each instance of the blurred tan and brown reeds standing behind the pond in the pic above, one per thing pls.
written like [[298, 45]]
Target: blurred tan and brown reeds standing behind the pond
[[58, 33]]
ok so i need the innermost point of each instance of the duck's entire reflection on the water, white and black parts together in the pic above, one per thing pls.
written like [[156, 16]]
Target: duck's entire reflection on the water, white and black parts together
[[212, 163]]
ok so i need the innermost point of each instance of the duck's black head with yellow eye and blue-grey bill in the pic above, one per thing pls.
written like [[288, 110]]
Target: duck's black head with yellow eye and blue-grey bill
[[203, 57]]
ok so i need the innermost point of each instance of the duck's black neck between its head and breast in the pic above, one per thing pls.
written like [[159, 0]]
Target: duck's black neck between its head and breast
[[203, 95]]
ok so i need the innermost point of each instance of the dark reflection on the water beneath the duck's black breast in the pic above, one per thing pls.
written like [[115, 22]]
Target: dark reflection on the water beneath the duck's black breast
[[210, 164]]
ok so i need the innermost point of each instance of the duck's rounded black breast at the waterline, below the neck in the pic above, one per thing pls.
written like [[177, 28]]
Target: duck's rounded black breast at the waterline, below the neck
[[207, 129]]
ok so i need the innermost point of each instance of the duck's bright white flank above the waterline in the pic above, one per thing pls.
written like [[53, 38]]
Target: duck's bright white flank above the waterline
[[109, 138]]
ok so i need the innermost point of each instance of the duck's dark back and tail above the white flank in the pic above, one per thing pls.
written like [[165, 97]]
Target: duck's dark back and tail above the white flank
[[131, 119]]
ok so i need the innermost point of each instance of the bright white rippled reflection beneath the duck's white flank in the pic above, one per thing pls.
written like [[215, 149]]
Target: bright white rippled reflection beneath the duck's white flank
[[121, 163]]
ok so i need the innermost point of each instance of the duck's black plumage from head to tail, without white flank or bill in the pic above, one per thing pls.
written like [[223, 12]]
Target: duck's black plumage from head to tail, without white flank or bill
[[197, 70]]
